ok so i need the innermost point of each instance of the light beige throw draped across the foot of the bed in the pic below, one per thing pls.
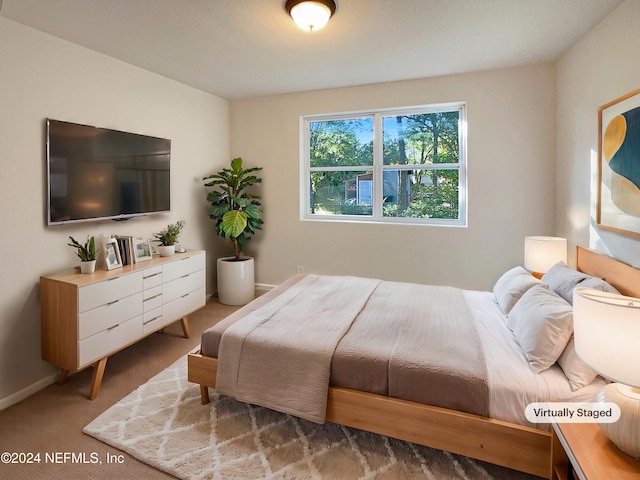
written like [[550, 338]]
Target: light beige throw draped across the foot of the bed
[[279, 356]]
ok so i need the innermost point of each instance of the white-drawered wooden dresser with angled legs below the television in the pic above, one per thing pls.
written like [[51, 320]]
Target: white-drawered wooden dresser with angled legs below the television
[[85, 318]]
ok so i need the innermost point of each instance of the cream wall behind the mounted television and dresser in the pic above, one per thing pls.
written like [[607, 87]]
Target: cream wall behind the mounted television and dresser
[[42, 76]]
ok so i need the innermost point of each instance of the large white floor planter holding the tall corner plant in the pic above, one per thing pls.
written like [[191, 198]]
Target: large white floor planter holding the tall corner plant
[[236, 281]]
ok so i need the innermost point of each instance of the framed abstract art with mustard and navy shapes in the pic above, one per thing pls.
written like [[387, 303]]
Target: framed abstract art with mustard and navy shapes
[[618, 202]]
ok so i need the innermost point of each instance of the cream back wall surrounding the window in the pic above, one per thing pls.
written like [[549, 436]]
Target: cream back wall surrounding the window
[[511, 175]]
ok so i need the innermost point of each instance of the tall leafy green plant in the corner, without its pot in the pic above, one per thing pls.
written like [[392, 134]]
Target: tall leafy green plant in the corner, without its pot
[[235, 210]]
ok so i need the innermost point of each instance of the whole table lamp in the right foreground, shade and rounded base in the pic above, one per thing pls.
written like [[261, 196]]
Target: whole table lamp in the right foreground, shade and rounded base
[[606, 333]]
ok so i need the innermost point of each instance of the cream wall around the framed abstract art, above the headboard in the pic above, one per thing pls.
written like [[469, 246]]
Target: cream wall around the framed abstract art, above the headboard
[[603, 66]]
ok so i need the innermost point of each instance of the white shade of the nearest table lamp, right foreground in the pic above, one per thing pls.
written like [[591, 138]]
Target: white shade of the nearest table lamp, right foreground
[[606, 332]]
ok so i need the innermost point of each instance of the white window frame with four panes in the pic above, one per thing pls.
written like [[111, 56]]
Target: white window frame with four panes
[[378, 167]]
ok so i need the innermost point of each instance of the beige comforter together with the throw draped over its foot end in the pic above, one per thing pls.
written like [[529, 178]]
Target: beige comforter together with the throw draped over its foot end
[[407, 341]]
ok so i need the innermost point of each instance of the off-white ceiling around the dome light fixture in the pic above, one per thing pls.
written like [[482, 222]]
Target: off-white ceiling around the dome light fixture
[[245, 48]]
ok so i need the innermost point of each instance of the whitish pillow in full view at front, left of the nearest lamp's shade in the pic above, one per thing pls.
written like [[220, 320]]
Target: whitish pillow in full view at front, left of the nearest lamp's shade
[[542, 323]]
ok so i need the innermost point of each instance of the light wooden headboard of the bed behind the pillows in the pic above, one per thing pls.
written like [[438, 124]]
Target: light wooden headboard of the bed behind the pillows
[[624, 277]]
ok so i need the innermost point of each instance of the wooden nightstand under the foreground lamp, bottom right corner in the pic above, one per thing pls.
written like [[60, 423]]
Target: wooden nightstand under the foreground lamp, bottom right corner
[[587, 449]]
